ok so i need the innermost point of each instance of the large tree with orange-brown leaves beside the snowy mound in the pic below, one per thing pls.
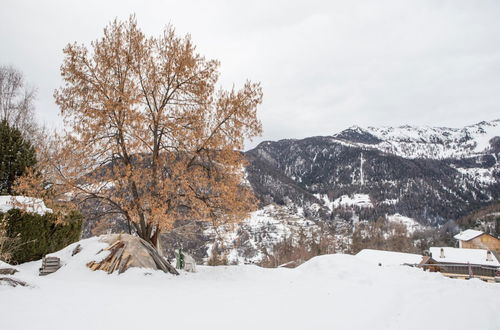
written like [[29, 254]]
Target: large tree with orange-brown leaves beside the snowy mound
[[151, 137]]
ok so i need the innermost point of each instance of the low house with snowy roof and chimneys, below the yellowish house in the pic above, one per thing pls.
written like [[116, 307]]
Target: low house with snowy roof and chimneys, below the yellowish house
[[463, 263]]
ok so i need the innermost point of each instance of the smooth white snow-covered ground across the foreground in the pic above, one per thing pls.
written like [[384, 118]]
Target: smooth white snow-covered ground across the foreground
[[328, 292]]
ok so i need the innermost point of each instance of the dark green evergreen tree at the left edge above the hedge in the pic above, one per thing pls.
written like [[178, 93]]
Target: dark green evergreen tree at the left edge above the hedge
[[16, 154]]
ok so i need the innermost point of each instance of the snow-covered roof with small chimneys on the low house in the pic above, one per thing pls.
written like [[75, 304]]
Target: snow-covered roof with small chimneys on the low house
[[464, 256]]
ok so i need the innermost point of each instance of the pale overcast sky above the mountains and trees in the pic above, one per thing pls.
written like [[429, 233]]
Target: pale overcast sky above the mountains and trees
[[323, 65]]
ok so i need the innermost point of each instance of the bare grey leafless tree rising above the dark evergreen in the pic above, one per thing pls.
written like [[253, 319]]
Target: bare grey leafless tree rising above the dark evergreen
[[16, 101]]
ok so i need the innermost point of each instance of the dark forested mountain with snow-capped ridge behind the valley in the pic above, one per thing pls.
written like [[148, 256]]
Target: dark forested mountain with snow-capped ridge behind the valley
[[431, 174]]
